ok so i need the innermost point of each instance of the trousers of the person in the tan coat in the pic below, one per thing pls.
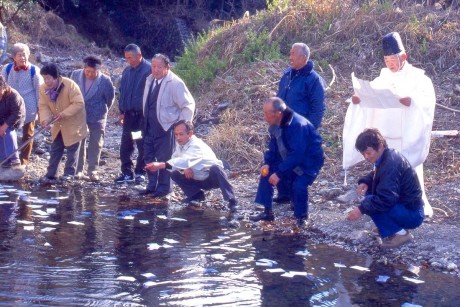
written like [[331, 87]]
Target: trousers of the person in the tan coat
[[56, 153]]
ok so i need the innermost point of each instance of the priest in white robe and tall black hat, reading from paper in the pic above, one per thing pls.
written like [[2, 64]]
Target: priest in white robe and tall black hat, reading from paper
[[406, 126]]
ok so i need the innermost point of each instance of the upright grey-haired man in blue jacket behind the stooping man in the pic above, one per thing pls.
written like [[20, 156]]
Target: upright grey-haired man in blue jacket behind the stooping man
[[303, 91]]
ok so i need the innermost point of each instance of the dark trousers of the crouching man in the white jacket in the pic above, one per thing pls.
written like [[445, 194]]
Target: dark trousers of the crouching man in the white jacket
[[217, 179]]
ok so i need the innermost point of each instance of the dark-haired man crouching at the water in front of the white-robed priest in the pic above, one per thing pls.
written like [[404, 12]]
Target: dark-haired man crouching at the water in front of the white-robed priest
[[393, 197]]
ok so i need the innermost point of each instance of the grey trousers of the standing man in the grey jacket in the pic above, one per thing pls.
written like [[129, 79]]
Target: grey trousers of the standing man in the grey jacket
[[93, 153]]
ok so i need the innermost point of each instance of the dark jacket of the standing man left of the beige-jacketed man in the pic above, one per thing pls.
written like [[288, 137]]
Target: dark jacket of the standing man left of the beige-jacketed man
[[132, 87]]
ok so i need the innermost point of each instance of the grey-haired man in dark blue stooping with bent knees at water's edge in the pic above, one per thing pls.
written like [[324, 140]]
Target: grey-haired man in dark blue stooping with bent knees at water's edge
[[294, 155]]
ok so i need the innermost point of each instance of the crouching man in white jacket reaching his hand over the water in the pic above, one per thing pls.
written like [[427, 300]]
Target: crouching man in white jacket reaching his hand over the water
[[195, 167]]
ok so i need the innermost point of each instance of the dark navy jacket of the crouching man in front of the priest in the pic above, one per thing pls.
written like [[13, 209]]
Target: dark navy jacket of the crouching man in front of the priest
[[392, 182]]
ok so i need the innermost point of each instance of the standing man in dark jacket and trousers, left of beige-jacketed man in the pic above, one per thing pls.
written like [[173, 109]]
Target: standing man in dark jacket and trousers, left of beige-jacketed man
[[130, 104]]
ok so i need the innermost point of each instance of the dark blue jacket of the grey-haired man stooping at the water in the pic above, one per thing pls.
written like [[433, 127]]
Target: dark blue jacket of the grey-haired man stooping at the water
[[303, 144]]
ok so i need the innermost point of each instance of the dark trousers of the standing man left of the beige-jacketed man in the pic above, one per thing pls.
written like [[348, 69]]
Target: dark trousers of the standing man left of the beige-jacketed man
[[133, 121]]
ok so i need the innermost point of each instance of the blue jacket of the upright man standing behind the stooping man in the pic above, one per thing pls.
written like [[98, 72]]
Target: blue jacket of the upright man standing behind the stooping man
[[303, 92]]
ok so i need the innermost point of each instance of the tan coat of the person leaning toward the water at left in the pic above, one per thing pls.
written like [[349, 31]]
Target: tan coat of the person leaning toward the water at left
[[71, 106]]
